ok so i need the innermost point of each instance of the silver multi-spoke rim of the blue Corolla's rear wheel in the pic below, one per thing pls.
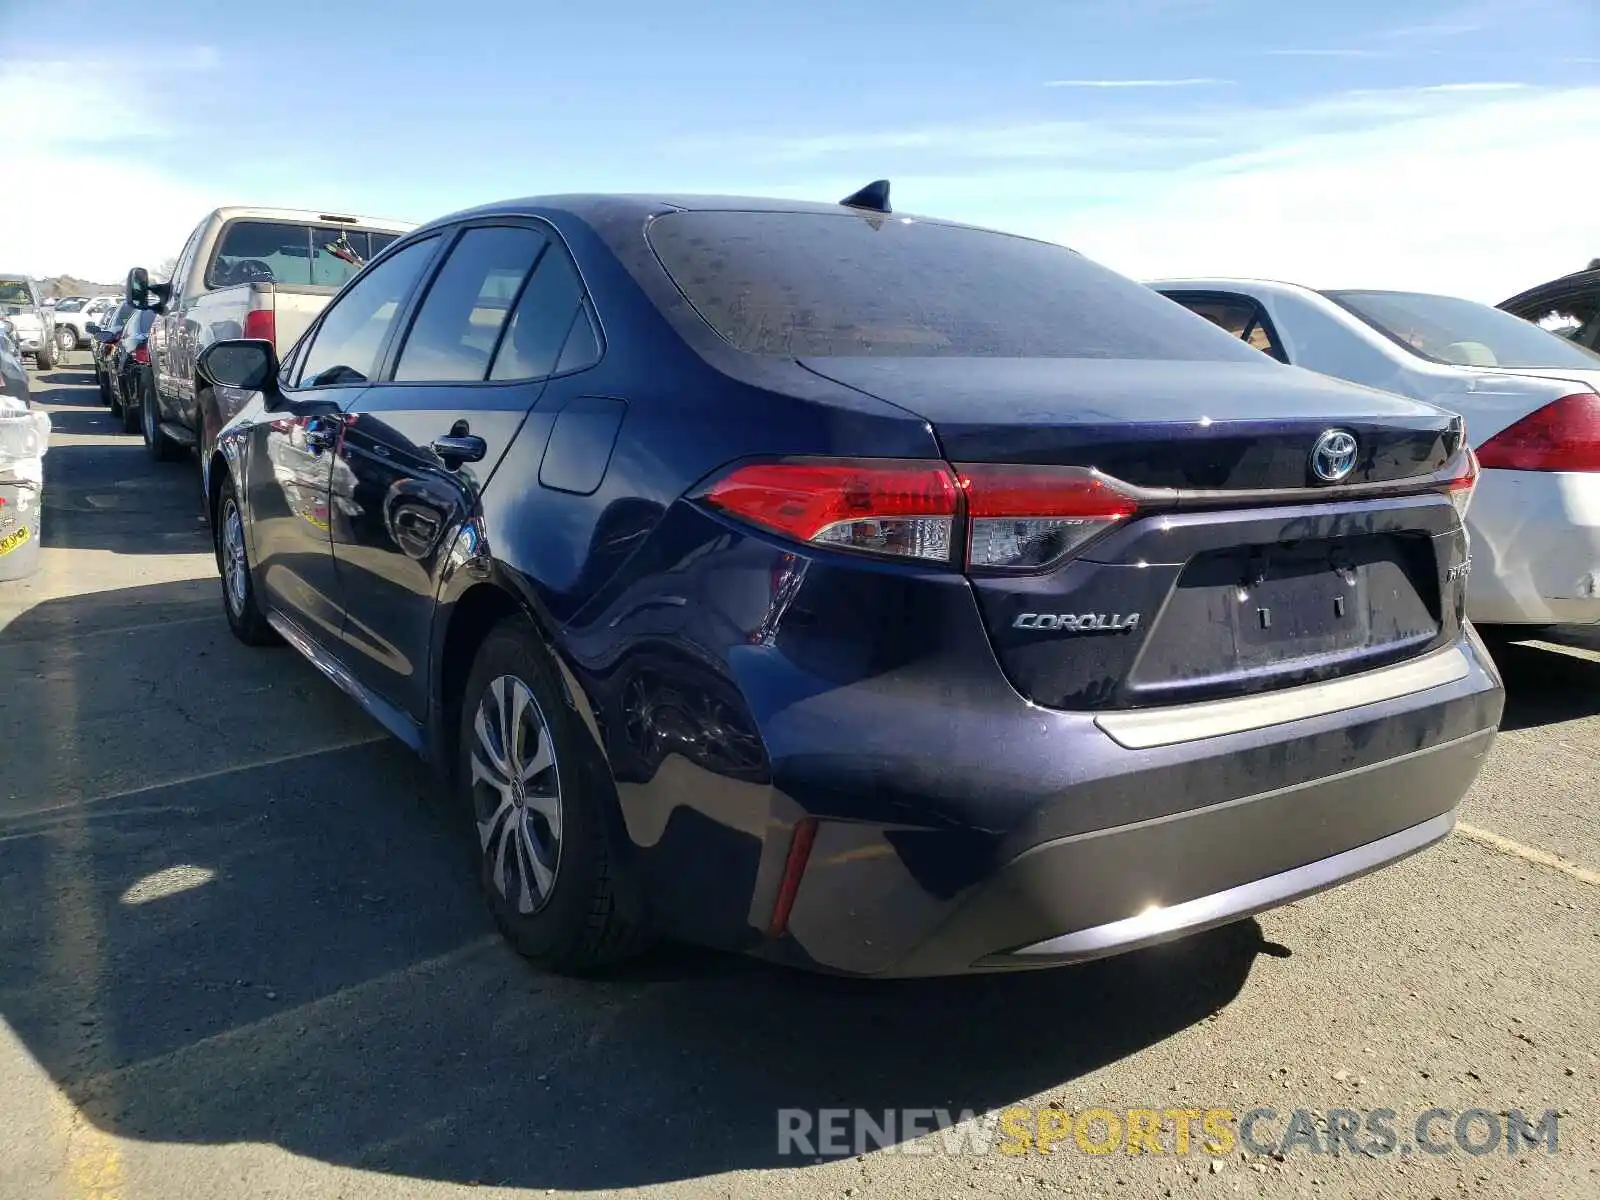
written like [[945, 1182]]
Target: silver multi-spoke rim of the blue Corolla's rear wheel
[[518, 794]]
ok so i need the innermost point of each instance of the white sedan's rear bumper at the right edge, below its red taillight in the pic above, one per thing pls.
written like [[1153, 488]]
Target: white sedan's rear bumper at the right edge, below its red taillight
[[1535, 548]]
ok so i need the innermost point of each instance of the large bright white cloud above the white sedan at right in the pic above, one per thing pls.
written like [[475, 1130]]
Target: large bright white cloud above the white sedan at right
[[1431, 201]]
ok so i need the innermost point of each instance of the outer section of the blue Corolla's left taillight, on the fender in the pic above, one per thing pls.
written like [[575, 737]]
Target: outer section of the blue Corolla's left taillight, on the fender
[[884, 506]]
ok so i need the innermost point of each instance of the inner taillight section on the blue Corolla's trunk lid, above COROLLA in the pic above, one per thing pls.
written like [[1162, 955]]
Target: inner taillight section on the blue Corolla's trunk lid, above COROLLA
[[1030, 518]]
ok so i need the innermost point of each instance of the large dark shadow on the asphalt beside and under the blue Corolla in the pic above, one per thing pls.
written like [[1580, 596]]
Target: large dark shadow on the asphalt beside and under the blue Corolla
[[295, 953]]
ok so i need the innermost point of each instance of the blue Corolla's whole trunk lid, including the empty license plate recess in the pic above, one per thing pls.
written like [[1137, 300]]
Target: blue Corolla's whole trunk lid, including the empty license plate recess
[[1241, 570]]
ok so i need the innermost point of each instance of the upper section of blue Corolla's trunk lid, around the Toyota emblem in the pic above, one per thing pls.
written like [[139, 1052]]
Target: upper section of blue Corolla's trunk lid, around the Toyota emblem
[[1156, 425]]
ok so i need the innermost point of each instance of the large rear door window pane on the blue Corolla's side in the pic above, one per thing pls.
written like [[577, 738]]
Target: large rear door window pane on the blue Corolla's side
[[468, 305]]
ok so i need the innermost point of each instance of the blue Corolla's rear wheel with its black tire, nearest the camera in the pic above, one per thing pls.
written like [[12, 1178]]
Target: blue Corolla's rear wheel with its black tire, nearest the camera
[[575, 924]]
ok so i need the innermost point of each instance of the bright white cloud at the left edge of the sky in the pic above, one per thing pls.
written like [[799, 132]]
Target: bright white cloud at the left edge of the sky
[[92, 206]]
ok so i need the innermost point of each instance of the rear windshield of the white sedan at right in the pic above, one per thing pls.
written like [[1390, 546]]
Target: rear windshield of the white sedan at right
[[1465, 334]]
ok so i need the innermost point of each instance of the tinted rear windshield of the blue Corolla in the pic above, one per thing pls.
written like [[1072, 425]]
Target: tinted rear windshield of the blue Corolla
[[822, 284]]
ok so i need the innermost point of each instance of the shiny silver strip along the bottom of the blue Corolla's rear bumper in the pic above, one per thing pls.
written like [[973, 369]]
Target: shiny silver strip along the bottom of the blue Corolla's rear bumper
[[1222, 908]]
